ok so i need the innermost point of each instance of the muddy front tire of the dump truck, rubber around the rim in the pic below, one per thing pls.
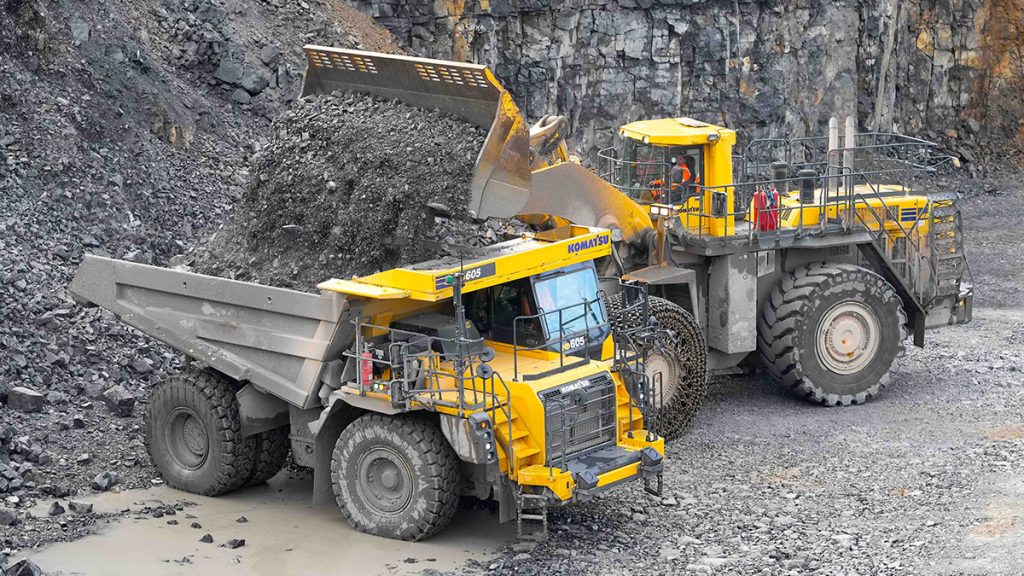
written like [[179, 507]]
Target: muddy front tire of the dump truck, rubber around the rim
[[432, 476]]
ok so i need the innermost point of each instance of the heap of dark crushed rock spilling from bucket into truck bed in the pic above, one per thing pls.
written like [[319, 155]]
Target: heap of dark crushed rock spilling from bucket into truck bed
[[345, 188]]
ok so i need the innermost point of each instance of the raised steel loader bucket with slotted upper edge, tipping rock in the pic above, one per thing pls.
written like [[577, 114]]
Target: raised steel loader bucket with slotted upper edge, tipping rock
[[501, 180]]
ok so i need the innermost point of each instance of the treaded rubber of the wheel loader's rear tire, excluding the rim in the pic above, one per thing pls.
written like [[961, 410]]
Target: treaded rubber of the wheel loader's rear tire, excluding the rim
[[788, 333]]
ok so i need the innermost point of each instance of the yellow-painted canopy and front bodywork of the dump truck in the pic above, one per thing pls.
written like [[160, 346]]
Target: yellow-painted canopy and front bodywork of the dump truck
[[518, 415]]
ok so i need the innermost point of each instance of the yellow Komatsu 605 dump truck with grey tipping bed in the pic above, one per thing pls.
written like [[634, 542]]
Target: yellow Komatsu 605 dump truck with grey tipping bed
[[406, 389]]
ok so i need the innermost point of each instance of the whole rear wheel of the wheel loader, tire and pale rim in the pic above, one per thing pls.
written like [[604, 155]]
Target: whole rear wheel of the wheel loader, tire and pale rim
[[833, 334]]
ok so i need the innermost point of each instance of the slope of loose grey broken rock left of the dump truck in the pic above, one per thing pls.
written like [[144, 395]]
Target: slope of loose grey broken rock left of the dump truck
[[119, 138]]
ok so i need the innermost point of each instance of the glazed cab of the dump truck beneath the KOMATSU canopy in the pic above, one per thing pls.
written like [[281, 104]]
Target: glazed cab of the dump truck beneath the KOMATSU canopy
[[559, 311]]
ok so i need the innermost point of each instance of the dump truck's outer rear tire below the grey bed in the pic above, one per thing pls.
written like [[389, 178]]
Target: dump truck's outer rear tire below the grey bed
[[206, 403]]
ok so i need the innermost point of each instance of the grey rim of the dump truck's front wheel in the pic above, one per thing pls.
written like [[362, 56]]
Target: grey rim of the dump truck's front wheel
[[386, 481]]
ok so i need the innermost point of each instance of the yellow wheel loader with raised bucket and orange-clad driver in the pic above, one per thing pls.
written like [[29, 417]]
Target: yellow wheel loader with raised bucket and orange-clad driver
[[814, 258]]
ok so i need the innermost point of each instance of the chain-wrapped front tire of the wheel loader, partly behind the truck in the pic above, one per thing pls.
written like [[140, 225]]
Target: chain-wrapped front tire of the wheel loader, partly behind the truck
[[690, 353]]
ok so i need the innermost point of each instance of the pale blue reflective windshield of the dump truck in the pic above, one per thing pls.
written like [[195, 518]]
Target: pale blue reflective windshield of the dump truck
[[576, 295]]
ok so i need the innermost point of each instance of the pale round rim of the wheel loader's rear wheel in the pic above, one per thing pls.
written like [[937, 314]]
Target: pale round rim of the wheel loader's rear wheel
[[847, 338]]
